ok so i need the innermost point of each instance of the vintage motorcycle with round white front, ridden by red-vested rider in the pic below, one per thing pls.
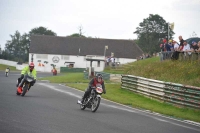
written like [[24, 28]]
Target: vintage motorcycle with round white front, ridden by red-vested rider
[[93, 100]]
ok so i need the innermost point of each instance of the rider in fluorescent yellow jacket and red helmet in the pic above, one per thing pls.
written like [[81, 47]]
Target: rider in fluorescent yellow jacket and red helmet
[[27, 70]]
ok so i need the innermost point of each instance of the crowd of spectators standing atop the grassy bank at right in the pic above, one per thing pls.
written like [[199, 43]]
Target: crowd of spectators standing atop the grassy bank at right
[[182, 46]]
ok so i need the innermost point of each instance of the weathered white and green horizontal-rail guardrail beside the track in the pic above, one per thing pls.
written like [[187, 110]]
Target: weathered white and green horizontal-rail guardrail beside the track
[[178, 94]]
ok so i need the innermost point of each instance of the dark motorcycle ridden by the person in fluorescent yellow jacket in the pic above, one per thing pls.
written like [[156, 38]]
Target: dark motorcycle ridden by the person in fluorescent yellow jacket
[[27, 82]]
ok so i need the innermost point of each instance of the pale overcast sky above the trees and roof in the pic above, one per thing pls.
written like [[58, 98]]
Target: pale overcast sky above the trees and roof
[[112, 19]]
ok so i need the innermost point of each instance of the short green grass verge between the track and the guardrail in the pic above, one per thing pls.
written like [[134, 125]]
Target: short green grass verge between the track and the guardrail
[[126, 97]]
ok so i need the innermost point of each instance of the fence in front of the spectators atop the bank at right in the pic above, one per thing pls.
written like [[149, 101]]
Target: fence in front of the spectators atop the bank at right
[[181, 55]]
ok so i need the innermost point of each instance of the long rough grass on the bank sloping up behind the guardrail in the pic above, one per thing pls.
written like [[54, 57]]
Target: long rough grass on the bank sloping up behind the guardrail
[[183, 72]]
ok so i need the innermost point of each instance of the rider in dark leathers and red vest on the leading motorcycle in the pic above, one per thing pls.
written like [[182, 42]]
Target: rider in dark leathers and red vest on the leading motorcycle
[[97, 80]]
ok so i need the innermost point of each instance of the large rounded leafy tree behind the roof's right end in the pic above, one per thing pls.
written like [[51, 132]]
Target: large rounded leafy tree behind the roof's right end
[[150, 33]]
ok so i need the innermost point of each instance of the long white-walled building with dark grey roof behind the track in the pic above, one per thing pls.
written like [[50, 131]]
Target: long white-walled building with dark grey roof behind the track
[[49, 51]]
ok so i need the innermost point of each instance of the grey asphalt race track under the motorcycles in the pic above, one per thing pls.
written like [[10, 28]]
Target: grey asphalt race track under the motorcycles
[[52, 108]]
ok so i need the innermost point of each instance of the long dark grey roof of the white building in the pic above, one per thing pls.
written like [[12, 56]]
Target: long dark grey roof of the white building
[[42, 44]]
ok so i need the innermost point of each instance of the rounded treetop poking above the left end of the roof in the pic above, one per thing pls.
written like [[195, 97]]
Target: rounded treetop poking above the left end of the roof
[[42, 31]]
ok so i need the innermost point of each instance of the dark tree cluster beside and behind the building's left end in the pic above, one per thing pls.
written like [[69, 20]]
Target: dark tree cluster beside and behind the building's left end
[[17, 49]]
